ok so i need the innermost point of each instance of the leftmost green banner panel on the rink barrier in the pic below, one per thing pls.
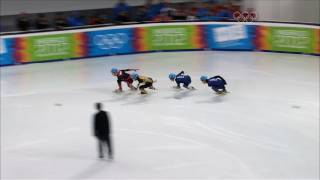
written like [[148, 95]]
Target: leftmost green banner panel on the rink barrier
[[51, 47]]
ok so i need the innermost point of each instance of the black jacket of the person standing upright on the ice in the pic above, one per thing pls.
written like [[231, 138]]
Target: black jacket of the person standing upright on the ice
[[101, 124]]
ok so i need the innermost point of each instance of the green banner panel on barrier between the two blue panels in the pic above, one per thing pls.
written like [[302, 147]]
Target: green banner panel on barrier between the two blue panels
[[169, 37]]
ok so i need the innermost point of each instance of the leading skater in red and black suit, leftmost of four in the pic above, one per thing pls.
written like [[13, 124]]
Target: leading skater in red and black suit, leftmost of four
[[122, 75]]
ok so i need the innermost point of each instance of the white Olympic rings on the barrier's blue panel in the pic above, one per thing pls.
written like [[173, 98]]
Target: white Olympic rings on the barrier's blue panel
[[111, 41]]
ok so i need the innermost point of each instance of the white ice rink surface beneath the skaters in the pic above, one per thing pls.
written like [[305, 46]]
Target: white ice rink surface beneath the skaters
[[266, 127]]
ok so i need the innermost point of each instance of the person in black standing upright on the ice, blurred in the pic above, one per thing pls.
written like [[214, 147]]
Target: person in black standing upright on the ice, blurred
[[102, 131]]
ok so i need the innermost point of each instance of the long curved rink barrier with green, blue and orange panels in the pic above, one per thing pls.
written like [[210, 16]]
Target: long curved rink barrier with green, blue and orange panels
[[102, 41]]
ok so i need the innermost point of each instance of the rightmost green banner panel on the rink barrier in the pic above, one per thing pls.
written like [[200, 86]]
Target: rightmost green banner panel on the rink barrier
[[291, 39]]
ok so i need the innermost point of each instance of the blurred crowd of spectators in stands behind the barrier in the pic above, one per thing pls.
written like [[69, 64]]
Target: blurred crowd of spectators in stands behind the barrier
[[154, 11]]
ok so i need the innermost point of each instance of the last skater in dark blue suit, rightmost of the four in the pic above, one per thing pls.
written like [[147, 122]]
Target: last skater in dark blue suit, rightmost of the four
[[217, 83]]
